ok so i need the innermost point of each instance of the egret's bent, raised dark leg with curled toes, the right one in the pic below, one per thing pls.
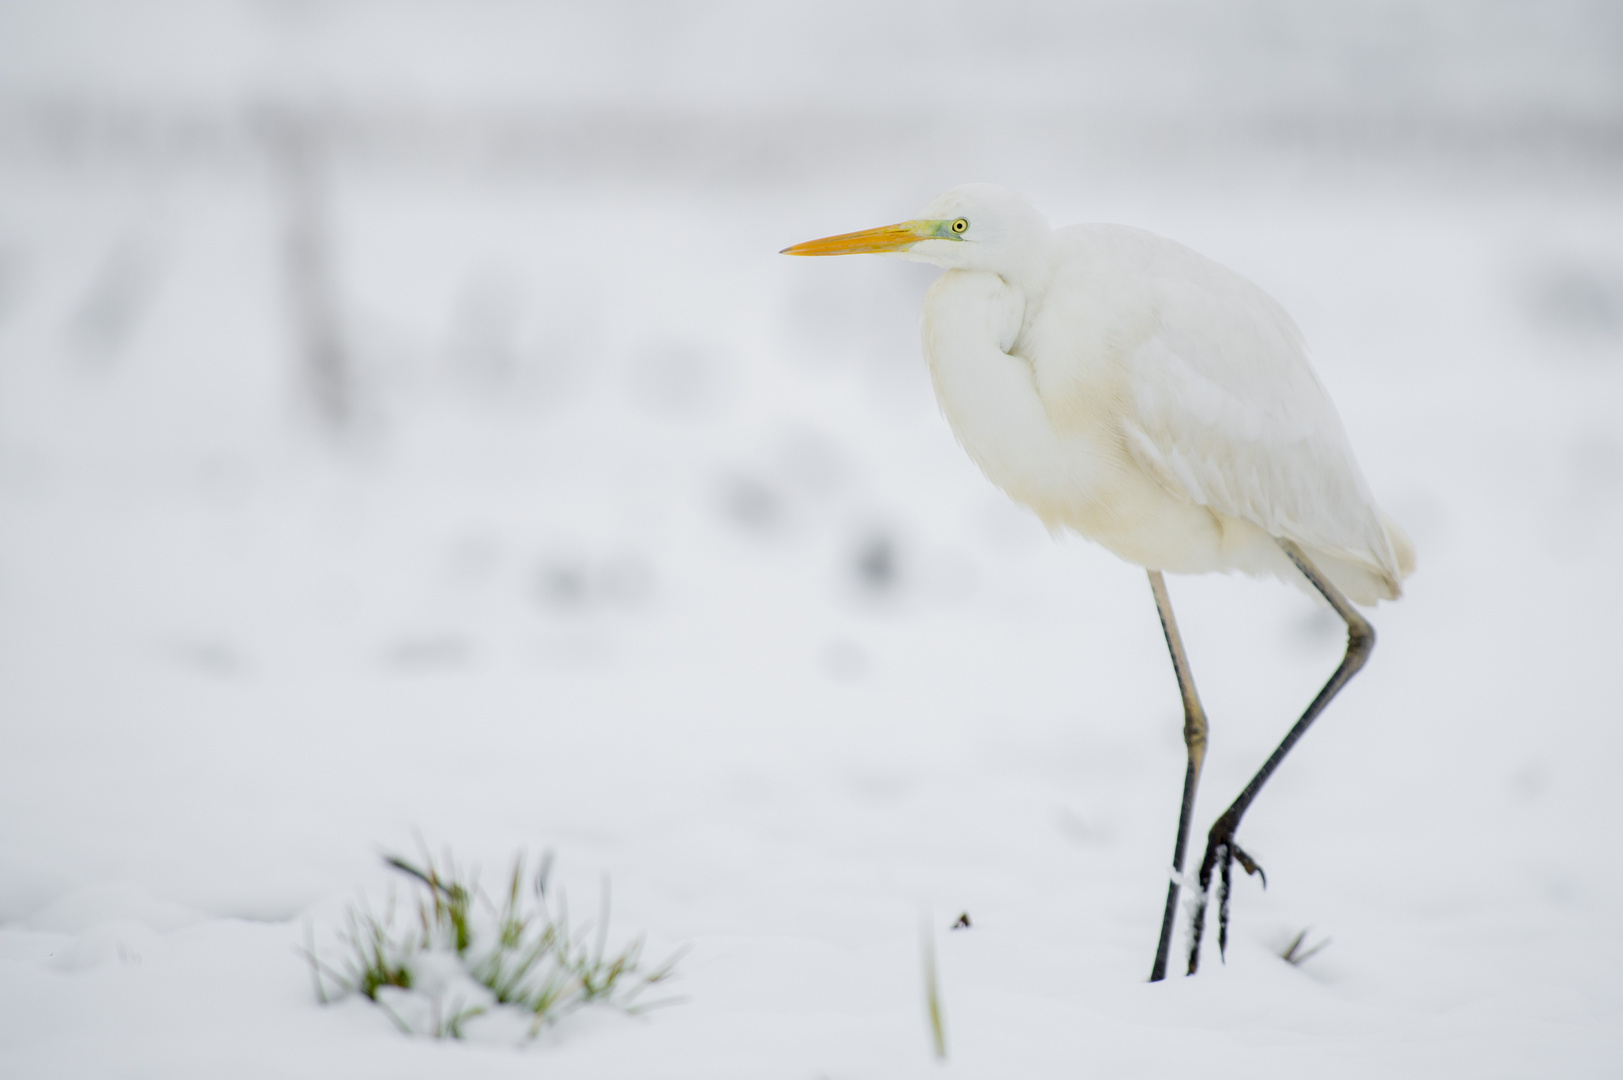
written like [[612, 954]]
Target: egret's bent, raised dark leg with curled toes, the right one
[[1221, 850]]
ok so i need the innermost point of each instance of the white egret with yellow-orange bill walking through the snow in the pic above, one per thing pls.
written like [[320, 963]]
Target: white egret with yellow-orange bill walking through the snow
[[1148, 399]]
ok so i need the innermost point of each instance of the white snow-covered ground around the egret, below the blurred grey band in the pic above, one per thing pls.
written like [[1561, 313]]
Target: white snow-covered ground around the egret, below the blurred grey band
[[650, 548]]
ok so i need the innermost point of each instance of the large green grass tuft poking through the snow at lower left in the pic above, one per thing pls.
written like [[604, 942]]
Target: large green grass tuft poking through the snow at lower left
[[462, 956]]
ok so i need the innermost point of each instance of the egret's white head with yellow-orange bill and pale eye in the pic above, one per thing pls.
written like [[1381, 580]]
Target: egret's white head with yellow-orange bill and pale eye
[[976, 227]]
